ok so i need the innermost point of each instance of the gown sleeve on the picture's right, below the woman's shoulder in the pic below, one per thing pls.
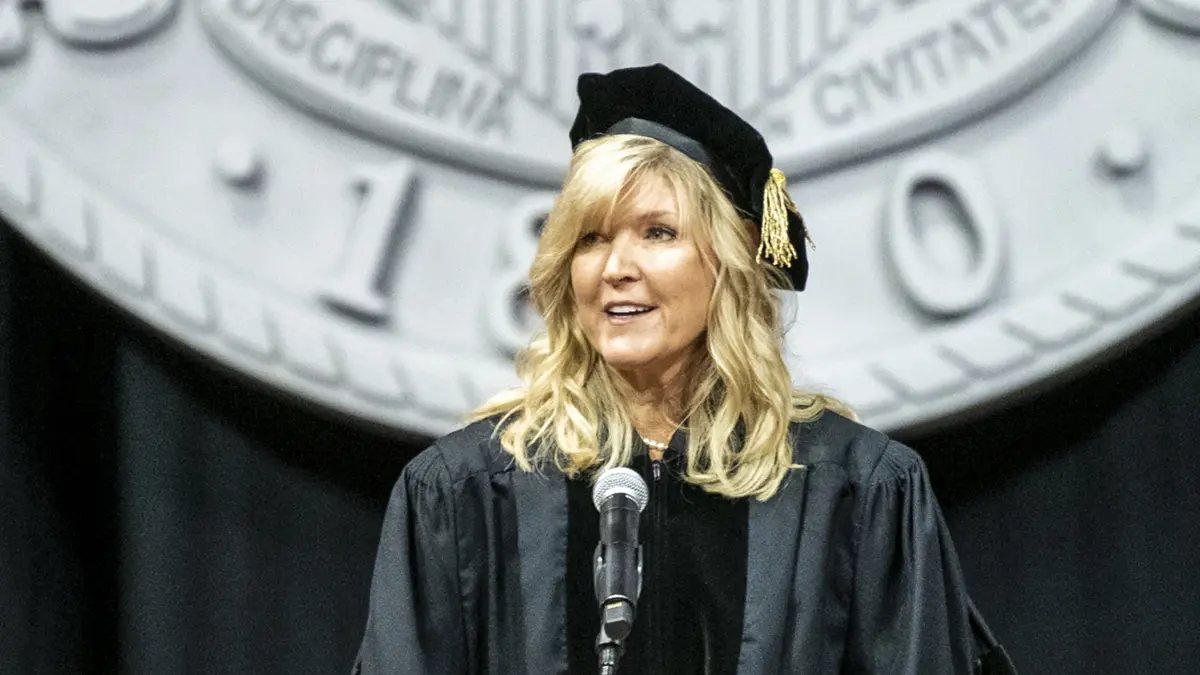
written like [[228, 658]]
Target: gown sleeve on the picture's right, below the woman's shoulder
[[910, 612]]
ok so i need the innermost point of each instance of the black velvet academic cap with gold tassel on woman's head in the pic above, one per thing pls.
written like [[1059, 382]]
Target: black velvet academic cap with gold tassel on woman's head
[[657, 103]]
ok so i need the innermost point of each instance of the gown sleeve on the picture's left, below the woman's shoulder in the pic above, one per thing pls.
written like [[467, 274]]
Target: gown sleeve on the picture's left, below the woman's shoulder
[[415, 619]]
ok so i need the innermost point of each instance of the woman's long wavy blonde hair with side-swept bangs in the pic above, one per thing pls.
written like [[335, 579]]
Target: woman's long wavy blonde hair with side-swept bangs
[[571, 409]]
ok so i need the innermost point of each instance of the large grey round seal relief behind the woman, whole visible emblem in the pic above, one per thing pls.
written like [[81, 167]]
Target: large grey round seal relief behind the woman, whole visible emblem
[[341, 199]]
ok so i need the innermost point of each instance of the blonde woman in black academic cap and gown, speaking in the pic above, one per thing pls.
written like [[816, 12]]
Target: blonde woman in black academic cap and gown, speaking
[[781, 536]]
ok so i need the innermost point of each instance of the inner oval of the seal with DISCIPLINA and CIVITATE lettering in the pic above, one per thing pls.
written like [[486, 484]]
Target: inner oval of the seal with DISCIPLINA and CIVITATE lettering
[[481, 82]]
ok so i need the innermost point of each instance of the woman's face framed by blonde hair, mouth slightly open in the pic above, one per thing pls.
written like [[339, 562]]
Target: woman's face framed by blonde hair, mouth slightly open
[[643, 289]]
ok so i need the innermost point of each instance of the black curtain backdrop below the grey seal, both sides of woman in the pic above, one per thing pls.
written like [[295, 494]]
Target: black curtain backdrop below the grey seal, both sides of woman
[[160, 516]]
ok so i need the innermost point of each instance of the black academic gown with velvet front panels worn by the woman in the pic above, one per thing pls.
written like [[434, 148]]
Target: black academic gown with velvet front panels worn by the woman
[[848, 570]]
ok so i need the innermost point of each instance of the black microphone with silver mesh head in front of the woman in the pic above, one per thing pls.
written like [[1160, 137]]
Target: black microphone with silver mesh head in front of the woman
[[620, 495]]
